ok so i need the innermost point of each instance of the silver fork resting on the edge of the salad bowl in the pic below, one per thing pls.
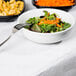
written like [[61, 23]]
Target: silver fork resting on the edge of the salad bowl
[[15, 29]]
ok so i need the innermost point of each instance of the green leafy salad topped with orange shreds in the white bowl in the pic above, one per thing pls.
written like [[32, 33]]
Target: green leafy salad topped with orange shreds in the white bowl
[[49, 23]]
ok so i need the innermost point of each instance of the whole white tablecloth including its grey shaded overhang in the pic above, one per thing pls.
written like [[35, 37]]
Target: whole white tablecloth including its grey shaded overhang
[[21, 57]]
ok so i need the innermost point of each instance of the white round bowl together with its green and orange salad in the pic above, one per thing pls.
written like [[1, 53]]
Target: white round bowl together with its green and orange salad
[[47, 25]]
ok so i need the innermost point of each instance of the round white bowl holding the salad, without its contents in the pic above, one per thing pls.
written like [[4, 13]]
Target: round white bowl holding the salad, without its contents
[[46, 37]]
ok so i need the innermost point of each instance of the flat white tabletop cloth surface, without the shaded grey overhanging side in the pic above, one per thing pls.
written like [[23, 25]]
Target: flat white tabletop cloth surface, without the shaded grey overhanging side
[[21, 57]]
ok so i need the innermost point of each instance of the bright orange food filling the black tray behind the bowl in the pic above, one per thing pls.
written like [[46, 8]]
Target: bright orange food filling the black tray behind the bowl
[[55, 2]]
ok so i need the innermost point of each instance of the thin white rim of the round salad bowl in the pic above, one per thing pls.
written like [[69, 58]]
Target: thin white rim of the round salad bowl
[[48, 9]]
